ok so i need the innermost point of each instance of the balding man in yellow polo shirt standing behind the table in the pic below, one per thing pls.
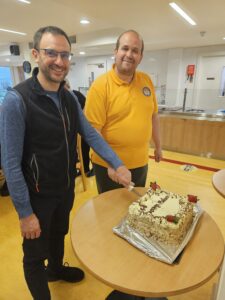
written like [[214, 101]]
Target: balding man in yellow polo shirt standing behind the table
[[122, 106]]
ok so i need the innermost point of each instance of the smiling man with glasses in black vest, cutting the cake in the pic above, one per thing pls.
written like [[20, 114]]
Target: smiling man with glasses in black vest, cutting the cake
[[39, 122]]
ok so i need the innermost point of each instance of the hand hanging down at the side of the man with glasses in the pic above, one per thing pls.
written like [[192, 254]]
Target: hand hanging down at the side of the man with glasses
[[30, 227]]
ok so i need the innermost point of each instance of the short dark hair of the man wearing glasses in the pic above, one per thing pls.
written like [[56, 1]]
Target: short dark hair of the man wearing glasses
[[48, 29]]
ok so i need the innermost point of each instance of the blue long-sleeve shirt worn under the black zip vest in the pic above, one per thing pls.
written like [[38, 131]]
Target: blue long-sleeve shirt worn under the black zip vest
[[12, 132]]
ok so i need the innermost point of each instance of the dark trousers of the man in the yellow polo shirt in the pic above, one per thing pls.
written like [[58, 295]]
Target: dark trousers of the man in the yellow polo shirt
[[104, 183]]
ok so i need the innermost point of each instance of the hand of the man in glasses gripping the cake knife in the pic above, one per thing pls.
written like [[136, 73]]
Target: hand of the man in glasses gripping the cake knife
[[121, 175]]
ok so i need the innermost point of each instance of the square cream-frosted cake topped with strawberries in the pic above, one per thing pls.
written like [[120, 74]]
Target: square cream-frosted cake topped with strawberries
[[161, 215]]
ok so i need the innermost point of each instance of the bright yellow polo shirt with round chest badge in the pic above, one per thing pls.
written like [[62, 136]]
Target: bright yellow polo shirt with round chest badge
[[123, 112]]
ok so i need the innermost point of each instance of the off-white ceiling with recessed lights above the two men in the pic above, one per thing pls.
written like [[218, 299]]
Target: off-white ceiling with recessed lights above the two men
[[155, 20]]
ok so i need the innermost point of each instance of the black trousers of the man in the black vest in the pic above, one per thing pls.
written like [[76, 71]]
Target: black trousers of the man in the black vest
[[53, 214]]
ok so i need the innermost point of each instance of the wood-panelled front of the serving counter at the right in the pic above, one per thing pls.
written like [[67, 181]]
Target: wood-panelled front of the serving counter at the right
[[193, 133]]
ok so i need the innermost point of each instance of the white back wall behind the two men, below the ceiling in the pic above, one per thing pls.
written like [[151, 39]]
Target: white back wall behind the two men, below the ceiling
[[166, 67]]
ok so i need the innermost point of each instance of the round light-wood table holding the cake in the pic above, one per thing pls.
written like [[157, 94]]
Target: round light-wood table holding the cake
[[123, 267]]
